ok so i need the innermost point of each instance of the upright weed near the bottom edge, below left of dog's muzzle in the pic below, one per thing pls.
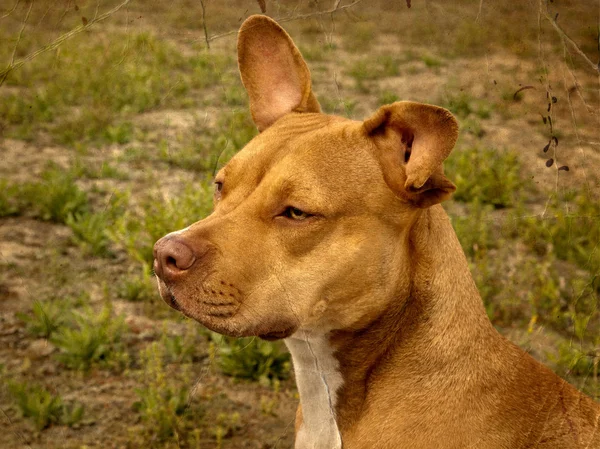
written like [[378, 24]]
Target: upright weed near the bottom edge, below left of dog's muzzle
[[162, 399]]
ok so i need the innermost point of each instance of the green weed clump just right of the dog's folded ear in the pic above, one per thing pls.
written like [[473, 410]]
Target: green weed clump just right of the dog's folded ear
[[485, 174]]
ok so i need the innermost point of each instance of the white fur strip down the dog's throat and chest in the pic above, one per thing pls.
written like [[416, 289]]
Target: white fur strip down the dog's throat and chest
[[318, 379]]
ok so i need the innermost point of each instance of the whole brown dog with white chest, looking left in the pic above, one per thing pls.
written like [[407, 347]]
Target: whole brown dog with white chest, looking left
[[327, 232]]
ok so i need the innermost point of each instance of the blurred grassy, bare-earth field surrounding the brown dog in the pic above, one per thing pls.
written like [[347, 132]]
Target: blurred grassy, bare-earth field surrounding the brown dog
[[111, 139]]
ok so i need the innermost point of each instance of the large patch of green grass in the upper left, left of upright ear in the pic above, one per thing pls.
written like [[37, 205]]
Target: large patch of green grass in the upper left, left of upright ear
[[102, 84]]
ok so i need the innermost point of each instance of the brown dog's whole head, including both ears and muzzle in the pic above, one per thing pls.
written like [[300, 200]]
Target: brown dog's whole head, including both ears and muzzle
[[310, 228]]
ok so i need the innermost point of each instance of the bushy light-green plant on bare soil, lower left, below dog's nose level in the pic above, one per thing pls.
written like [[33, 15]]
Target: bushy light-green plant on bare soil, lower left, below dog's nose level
[[94, 340]]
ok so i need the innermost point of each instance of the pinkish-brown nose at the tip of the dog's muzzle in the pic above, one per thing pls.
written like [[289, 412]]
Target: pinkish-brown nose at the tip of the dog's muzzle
[[172, 256]]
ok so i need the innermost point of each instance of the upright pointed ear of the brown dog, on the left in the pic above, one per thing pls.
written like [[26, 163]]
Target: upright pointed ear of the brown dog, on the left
[[273, 72]]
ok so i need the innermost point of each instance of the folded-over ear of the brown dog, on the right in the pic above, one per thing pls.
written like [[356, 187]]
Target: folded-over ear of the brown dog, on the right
[[412, 140]]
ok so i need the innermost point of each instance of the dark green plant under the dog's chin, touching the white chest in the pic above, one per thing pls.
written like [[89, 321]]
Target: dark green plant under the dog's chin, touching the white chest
[[252, 358]]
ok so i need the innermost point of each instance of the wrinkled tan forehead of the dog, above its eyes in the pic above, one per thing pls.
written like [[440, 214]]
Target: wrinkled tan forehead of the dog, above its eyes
[[315, 151]]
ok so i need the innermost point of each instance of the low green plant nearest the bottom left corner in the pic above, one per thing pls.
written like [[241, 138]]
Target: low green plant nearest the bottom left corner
[[42, 407]]
